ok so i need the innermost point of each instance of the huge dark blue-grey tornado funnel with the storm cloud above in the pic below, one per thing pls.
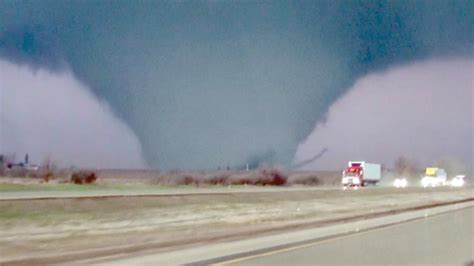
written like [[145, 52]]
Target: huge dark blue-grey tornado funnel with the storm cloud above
[[206, 83]]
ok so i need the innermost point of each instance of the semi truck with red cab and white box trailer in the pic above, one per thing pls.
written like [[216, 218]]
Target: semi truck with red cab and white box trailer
[[360, 173]]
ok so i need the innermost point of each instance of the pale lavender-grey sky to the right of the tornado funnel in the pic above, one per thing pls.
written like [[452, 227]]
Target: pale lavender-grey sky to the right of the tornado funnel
[[422, 111]]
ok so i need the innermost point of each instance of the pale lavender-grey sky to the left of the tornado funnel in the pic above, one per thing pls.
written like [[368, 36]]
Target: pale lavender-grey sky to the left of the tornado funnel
[[52, 115]]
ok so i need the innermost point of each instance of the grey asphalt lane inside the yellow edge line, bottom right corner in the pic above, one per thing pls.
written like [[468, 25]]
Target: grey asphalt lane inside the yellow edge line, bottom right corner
[[444, 239]]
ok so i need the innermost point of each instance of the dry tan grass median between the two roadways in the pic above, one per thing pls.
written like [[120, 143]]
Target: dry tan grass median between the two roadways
[[60, 230]]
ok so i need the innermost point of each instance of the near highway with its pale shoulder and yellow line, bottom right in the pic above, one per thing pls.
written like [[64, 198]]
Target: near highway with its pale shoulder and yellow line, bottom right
[[441, 235]]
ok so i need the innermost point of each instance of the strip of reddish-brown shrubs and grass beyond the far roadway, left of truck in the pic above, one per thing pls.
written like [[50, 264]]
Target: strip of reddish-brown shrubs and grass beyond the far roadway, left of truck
[[78, 180]]
